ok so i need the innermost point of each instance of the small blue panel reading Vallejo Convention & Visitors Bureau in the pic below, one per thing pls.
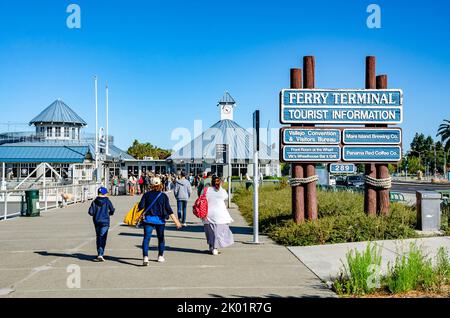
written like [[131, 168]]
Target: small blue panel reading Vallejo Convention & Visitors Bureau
[[311, 136]]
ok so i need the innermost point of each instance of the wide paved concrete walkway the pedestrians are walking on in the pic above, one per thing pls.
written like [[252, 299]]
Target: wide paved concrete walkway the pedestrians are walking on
[[38, 255]]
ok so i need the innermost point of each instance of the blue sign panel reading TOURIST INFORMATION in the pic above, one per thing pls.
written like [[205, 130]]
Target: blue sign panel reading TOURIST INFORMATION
[[341, 115]]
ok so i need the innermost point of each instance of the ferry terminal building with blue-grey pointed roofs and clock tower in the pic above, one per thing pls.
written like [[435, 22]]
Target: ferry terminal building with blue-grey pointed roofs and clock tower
[[59, 151]]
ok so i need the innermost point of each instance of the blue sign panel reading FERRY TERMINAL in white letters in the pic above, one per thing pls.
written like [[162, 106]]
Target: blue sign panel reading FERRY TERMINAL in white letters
[[342, 97]]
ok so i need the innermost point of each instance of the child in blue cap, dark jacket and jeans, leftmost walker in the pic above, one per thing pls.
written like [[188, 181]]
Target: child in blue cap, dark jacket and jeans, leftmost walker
[[101, 210]]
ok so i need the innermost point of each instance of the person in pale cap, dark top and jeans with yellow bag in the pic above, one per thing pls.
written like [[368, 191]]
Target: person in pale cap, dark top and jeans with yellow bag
[[157, 210]]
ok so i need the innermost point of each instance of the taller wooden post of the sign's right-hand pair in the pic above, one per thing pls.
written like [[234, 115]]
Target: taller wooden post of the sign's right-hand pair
[[370, 194]]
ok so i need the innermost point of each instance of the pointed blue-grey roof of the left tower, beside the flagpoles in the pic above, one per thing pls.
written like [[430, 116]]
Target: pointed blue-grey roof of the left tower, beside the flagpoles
[[58, 112]]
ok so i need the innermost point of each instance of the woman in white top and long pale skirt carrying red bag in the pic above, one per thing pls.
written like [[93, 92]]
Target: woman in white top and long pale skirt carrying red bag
[[216, 223]]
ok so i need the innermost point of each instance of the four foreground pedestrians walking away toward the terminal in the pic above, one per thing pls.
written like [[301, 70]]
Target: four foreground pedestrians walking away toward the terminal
[[157, 211]]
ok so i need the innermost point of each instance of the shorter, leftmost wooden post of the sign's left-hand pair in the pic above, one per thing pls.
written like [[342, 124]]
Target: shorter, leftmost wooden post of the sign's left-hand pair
[[298, 194]]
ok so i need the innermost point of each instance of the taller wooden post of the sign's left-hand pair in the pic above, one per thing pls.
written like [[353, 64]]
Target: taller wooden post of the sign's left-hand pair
[[311, 190]]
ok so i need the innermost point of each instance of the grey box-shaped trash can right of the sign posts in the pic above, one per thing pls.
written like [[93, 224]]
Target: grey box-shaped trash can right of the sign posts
[[428, 206]]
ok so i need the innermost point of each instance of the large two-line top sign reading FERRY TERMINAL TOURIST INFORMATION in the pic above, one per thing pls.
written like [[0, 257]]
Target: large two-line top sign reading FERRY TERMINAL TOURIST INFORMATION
[[340, 106]]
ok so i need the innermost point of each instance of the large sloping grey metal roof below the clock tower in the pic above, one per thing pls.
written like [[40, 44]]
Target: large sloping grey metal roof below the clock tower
[[203, 148]]
